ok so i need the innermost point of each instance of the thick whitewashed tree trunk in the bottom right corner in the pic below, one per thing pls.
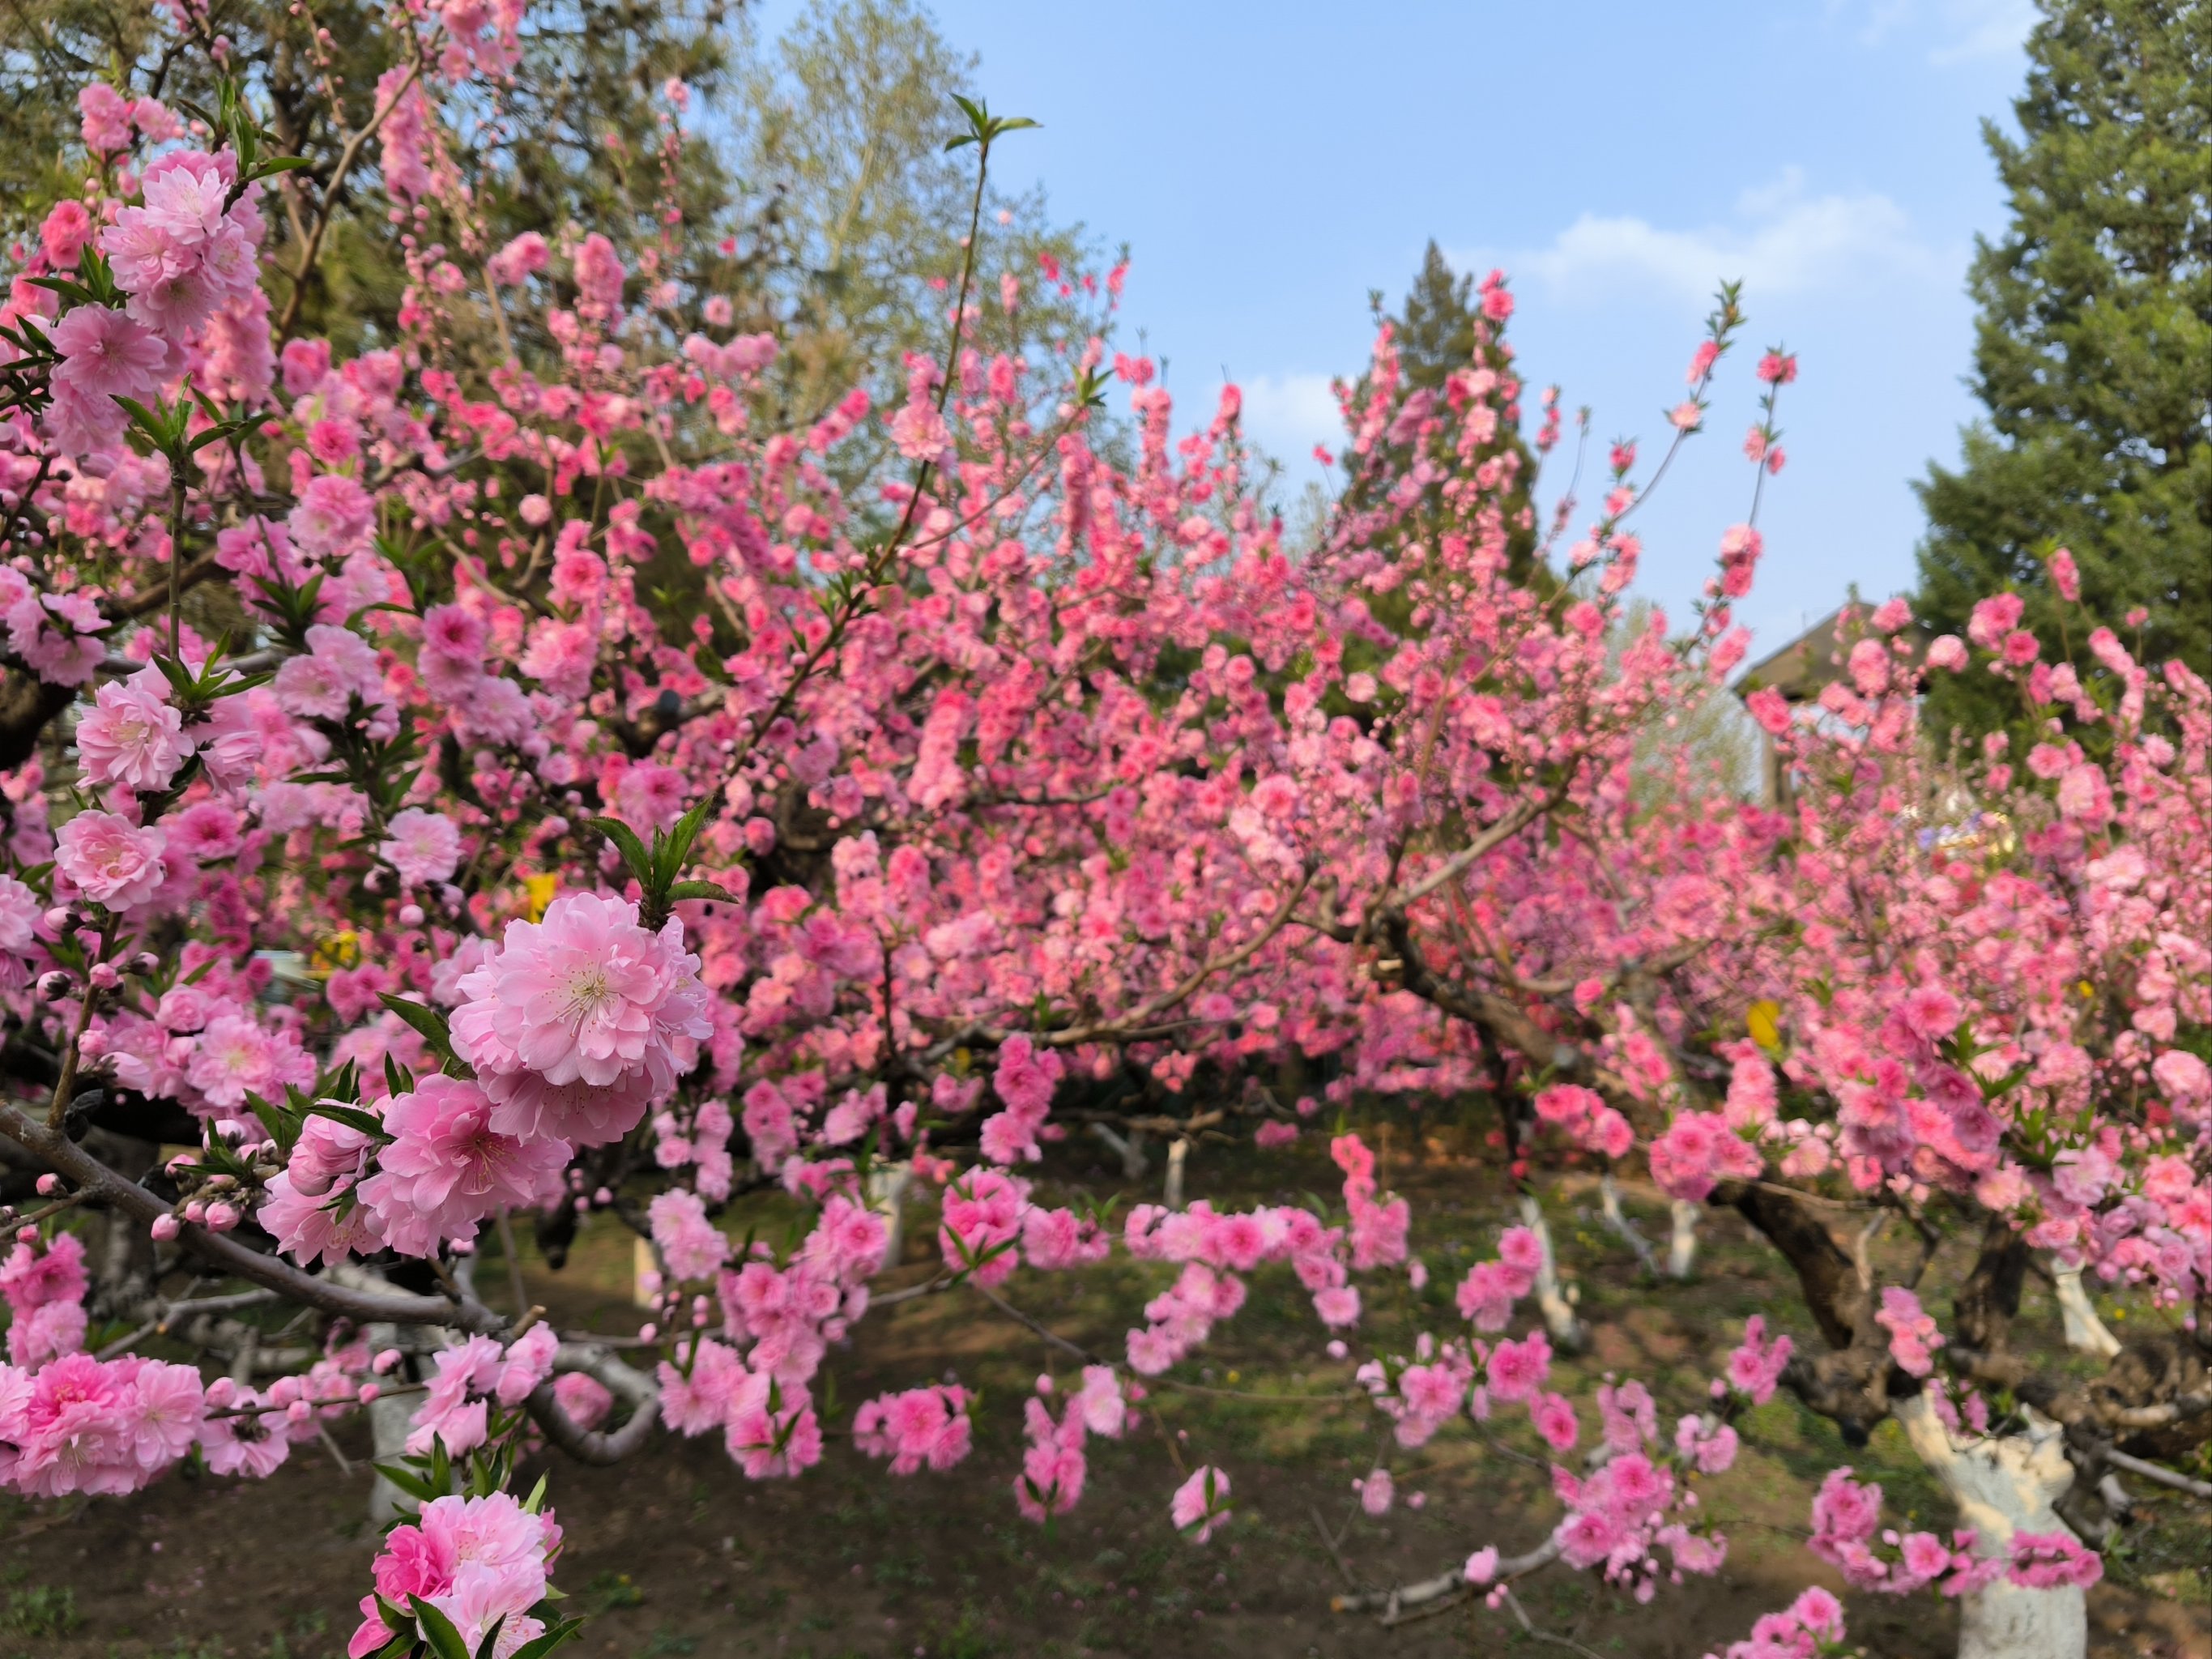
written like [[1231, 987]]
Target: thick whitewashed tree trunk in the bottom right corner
[[2005, 1485]]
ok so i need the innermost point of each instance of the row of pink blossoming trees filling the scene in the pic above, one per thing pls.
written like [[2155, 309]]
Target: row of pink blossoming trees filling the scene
[[505, 775]]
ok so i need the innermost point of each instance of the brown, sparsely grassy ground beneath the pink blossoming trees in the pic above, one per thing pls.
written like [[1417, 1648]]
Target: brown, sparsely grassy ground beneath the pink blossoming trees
[[676, 1554]]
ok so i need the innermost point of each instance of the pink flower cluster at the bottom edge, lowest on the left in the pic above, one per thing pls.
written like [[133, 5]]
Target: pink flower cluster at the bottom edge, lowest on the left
[[479, 1561]]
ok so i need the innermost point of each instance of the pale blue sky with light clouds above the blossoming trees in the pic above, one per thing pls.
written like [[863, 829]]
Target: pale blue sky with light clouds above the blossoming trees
[[1269, 165]]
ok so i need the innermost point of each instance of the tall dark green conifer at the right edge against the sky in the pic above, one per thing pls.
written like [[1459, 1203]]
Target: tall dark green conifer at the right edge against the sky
[[2094, 351]]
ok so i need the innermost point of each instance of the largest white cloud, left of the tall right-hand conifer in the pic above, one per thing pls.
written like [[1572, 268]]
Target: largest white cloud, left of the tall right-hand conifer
[[1782, 242]]
